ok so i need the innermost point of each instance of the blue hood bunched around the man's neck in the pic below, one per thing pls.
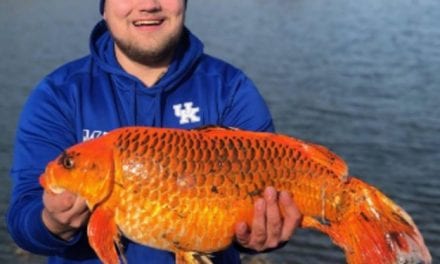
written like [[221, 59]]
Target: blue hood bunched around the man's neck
[[188, 52]]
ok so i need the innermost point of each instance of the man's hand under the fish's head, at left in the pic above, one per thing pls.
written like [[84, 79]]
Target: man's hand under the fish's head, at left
[[64, 213]]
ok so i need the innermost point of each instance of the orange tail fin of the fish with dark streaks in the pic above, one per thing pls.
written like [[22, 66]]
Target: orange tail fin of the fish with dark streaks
[[376, 231]]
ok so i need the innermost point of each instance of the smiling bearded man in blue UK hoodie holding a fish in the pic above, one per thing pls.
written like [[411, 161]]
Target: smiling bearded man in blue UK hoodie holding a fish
[[145, 68]]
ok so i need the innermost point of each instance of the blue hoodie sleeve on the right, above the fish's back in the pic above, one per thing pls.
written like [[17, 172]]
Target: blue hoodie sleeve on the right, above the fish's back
[[246, 108]]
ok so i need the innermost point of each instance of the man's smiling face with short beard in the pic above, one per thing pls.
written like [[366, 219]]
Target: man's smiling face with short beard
[[146, 31]]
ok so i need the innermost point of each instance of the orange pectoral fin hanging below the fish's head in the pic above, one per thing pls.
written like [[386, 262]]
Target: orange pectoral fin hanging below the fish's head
[[103, 235]]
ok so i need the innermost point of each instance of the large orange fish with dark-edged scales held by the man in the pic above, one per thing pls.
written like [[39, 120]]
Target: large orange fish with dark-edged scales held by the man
[[184, 191]]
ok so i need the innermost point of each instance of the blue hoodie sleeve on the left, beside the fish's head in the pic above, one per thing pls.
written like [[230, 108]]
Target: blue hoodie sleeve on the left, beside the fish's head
[[45, 128]]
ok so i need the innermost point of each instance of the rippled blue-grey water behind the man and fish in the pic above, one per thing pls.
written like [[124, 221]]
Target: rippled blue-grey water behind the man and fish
[[360, 77]]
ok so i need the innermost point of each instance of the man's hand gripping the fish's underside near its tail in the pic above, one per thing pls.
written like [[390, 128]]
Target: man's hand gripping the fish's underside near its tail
[[270, 227]]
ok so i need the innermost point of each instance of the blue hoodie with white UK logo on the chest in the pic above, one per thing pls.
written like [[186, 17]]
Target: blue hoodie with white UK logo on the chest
[[93, 95]]
